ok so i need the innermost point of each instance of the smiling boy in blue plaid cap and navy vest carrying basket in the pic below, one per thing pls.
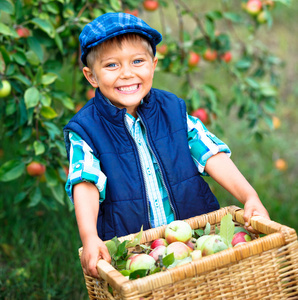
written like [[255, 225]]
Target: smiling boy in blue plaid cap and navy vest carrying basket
[[135, 155]]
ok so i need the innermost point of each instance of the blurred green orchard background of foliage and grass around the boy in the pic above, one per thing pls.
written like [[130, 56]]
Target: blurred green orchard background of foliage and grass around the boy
[[248, 100]]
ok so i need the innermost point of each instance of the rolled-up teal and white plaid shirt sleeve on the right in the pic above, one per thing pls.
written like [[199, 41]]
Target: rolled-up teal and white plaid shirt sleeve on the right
[[203, 144]]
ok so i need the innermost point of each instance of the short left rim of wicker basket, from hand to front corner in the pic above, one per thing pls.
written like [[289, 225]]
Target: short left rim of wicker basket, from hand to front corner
[[107, 272]]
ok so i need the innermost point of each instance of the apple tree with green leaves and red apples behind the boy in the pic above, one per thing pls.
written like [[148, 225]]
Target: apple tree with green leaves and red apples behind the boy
[[41, 84]]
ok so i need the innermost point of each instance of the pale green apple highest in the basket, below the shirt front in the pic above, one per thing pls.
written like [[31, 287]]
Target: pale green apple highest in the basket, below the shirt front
[[178, 231]]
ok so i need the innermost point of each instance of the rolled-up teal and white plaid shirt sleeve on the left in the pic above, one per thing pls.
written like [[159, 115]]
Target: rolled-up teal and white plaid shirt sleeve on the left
[[84, 166]]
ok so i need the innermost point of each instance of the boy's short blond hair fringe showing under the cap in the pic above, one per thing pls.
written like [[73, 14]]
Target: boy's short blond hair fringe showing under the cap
[[118, 40]]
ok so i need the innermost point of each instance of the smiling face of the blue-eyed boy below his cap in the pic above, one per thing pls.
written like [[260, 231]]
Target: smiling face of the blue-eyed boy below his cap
[[124, 75]]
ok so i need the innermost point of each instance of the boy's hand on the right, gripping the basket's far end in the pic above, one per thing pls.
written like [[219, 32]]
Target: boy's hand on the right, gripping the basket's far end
[[254, 207]]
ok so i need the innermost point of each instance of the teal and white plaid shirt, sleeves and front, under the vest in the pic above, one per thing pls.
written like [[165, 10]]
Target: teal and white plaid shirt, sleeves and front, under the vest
[[84, 166]]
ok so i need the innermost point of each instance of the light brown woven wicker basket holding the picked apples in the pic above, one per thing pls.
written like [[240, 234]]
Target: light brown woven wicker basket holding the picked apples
[[265, 268]]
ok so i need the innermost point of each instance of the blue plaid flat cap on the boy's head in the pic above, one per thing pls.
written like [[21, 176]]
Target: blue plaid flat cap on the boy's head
[[109, 25]]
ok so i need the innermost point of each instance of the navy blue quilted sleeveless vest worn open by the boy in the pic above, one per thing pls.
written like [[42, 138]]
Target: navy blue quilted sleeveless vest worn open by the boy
[[126, 206]]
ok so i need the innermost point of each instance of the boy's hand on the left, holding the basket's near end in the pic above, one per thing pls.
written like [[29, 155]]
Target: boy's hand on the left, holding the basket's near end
[[94, 249]]
